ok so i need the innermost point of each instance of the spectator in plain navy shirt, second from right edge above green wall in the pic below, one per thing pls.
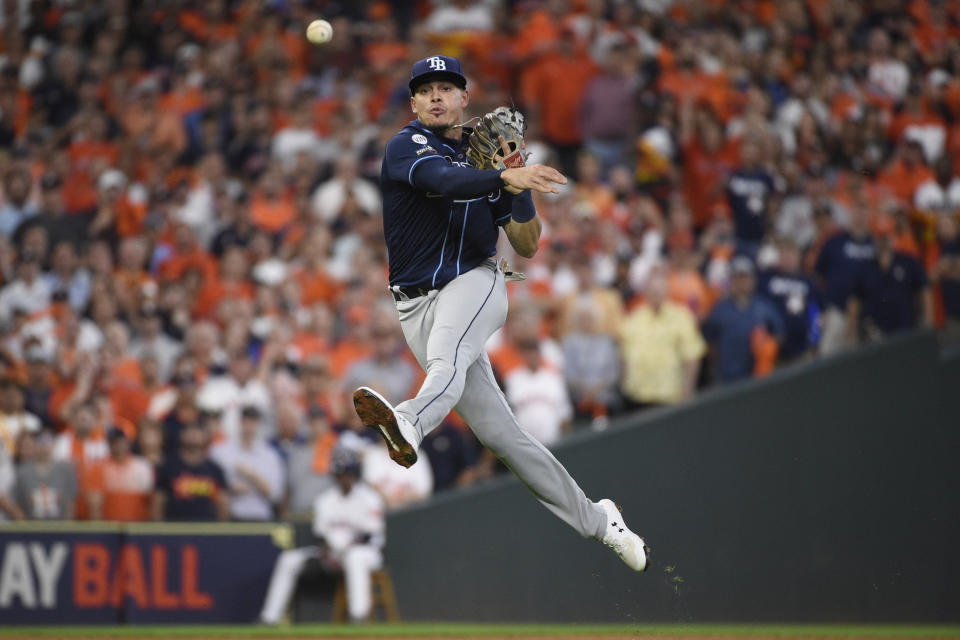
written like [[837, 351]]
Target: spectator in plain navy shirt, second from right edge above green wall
[[892, 293]]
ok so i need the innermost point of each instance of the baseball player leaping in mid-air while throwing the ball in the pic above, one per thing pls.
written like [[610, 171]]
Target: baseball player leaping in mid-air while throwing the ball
[[447, 189]]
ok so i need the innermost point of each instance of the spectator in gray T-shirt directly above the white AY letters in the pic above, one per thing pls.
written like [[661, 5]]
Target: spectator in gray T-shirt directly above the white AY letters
[[46, 488]]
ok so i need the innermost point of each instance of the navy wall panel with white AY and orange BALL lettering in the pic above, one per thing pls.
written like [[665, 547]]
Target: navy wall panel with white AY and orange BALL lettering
[[109, 573]]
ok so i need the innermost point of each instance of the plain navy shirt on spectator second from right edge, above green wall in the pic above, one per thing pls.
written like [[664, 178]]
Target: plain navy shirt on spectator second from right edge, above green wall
[[890, 296]]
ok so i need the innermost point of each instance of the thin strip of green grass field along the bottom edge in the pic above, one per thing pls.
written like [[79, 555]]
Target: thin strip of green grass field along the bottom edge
[[448, 630]]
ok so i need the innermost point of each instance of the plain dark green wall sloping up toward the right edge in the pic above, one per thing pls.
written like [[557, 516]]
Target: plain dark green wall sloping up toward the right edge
[[827, 492]]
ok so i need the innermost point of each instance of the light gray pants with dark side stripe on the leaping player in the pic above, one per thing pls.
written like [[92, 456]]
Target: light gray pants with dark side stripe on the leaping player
[[447, 330]]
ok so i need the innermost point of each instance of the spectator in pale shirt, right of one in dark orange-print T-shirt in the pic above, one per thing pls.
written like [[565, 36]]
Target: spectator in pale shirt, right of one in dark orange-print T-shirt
[[254, 470]]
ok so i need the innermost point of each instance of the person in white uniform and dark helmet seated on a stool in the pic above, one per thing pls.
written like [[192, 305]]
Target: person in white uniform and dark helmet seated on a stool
[[351, 530]]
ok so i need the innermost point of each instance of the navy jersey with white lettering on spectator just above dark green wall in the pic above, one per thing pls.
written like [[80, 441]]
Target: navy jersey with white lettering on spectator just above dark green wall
[[797, 299]]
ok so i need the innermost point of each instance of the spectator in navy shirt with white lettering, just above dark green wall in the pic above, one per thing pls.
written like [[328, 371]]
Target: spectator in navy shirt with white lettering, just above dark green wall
[[797, 299]]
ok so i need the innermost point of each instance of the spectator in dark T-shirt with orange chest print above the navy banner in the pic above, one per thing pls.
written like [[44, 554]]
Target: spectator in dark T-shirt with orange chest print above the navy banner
[[189, 485]]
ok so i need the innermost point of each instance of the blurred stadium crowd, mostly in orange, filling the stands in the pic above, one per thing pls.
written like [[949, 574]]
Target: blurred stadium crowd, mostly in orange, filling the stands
[[191, 255]]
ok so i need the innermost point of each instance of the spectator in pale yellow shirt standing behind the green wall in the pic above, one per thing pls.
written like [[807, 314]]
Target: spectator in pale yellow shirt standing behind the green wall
[[662, 348]]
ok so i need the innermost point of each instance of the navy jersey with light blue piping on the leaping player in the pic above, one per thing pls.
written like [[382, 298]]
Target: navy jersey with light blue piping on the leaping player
[[440, 217]]
